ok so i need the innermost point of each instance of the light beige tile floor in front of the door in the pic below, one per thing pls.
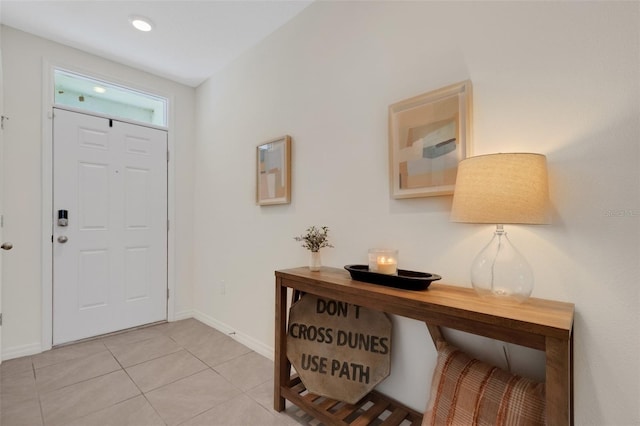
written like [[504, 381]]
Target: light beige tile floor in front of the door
[[179, 373]]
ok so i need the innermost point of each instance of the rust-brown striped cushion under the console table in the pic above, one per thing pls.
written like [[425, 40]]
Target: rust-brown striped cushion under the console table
[[465, 391]]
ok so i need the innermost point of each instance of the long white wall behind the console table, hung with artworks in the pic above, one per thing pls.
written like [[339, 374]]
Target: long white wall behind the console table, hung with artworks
[[559, 78]]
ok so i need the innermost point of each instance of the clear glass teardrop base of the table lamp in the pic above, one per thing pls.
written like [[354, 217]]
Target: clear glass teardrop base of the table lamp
[[500, 271]]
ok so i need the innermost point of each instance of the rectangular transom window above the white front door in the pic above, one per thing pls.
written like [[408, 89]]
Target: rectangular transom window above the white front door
[[85, 93]]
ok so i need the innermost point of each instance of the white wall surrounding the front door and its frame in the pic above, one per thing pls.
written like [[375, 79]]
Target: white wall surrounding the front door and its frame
[[23, 56]]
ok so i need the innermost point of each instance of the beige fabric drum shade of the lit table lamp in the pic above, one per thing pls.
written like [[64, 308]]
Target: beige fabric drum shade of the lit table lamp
[[502, 188]]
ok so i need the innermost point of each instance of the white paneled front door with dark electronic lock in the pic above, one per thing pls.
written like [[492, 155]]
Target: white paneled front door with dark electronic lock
[[110, 260]]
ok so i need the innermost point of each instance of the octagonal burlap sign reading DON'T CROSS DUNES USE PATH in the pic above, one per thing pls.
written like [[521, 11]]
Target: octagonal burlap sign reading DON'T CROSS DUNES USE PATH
[[340, 350]]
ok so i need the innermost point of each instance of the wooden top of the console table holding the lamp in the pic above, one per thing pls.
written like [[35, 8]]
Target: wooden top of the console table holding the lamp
[[538, 316]]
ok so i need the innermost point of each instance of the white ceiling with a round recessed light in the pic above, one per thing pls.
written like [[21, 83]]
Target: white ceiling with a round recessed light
[[191, 40]]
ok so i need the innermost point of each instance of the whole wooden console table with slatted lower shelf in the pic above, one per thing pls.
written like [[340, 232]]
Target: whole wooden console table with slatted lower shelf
[[540, 324]]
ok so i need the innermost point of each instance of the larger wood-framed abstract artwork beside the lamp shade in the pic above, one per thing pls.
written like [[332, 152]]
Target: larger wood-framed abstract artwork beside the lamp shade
[[429, 135]]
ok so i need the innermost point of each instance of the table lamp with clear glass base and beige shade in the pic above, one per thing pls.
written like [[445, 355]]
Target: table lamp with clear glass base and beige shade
[[501, 189]]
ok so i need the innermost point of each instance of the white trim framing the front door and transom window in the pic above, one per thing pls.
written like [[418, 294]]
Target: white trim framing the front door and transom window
[[48, 103]]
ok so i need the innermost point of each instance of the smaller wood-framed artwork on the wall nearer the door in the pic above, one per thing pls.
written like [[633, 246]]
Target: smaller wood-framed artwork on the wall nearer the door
[[273, 172]]
